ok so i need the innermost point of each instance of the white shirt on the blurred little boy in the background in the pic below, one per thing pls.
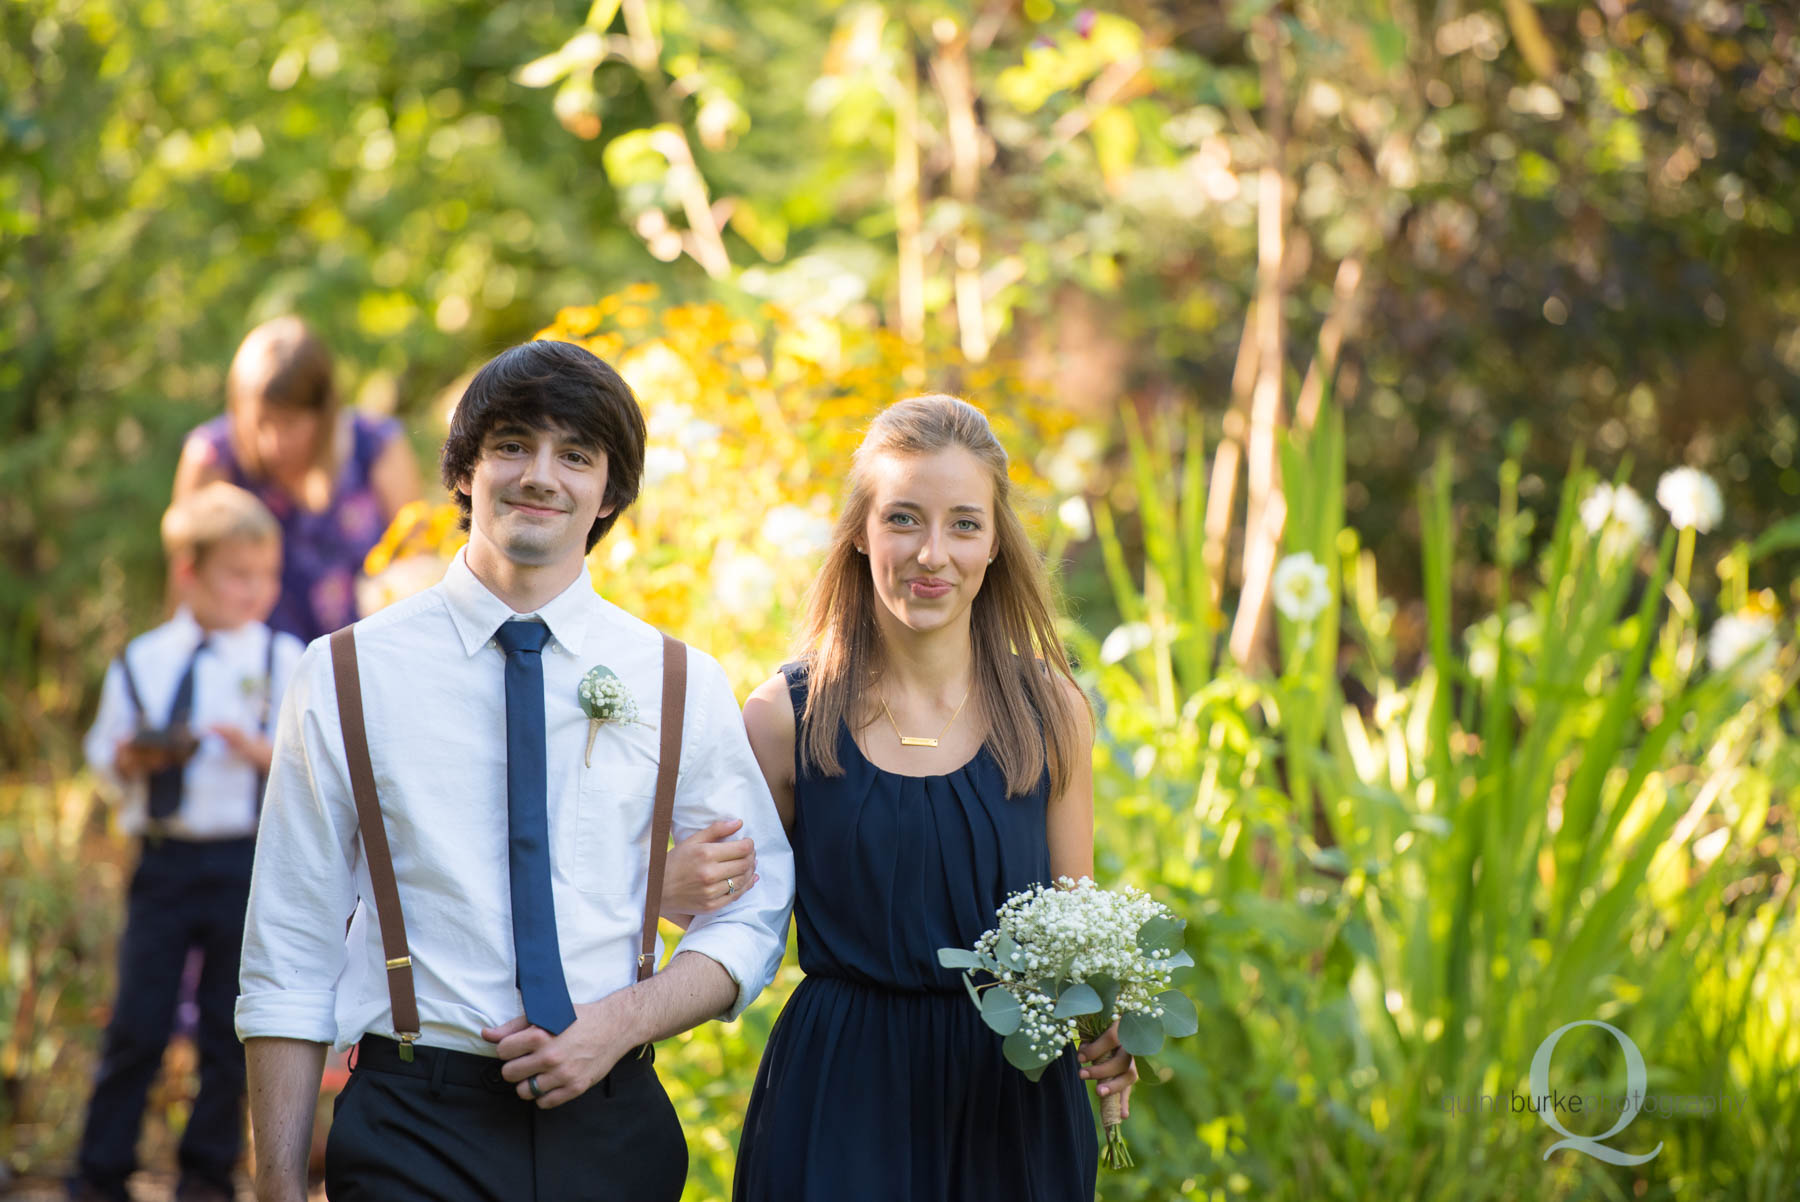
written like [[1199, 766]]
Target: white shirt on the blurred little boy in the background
[[231, 688]]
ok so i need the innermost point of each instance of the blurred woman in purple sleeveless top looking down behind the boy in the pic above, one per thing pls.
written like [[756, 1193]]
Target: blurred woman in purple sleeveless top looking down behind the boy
[[332, 478]]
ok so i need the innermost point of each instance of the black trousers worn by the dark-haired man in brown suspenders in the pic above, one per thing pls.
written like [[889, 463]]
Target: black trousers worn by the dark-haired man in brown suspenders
[[451, 1129]]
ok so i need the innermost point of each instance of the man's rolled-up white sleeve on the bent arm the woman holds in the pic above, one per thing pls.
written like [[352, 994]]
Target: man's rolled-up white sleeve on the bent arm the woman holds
[[721, 780]]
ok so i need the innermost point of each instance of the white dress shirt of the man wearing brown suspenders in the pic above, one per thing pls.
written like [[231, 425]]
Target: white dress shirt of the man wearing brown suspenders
[[435, 703]]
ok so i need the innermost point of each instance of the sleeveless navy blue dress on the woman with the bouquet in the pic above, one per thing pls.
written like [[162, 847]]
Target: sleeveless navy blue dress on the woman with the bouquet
[[881, 1082]]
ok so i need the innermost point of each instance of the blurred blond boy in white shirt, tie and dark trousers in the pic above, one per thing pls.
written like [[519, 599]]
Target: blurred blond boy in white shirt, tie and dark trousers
[[183, 737]]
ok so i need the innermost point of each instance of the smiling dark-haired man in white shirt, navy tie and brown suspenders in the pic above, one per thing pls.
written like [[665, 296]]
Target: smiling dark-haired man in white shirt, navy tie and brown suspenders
[[544, 453]]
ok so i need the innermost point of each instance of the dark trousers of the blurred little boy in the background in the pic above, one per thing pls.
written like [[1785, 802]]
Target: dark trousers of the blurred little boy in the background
[[184, 895]]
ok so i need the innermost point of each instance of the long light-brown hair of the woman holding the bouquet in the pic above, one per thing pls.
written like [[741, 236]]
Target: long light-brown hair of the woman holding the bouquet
[[1020, 665]]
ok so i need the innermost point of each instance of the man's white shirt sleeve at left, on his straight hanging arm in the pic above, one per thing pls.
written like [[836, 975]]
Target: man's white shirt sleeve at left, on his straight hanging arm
[[303, 886]]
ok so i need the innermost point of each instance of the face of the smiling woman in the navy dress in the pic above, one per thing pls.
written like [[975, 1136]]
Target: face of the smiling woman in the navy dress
[[930, 535]]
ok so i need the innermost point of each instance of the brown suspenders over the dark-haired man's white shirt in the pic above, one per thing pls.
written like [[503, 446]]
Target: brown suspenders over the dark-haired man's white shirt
[[390, 919]]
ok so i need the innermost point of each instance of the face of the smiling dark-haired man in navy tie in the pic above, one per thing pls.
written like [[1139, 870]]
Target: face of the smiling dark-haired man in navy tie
[[535, 494]]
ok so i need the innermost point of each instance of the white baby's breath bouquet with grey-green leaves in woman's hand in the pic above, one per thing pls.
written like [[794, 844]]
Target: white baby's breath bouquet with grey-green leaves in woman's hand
[[1066, 964]]
